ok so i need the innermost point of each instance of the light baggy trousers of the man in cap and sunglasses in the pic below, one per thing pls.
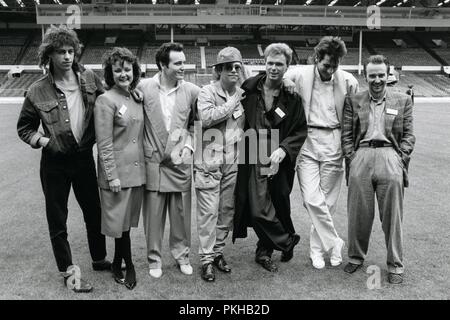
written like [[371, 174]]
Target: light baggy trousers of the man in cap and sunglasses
[[215, 208]]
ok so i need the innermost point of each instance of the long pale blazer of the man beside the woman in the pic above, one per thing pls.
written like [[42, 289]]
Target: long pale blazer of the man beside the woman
[[161, 145]]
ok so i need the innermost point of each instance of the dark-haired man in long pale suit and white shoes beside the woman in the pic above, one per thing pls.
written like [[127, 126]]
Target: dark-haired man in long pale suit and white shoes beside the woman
[[168, 146]]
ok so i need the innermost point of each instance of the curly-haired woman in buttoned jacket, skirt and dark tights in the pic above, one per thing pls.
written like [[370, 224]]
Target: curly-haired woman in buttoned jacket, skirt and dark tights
[[119, 127]]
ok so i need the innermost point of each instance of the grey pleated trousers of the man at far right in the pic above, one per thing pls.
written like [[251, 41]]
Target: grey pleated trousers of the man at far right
[[376, 171]]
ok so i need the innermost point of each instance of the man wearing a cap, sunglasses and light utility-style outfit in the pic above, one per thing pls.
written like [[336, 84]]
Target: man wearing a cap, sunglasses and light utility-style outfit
[[220, 111]]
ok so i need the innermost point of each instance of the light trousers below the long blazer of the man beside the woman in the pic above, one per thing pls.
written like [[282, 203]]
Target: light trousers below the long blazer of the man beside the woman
[[155, 206]]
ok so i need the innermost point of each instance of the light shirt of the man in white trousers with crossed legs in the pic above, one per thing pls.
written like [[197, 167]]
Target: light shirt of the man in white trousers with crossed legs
[[322, 111]]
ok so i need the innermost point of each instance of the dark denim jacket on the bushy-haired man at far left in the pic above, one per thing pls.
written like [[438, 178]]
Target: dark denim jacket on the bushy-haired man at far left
[[45, 103]]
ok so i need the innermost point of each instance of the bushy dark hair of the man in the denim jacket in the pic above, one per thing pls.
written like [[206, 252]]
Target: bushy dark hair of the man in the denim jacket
[[56, 37]]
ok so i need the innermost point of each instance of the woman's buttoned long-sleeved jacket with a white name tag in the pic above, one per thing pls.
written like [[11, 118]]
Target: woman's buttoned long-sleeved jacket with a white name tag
[[119, 130]]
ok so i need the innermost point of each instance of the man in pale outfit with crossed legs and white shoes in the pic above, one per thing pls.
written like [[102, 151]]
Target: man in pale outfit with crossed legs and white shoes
[[323, 87]]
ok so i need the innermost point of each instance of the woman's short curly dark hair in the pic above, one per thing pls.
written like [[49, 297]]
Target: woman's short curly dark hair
[[120, 54]]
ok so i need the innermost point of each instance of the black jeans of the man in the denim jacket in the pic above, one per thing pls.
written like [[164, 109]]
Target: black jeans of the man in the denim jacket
[[58, 173]]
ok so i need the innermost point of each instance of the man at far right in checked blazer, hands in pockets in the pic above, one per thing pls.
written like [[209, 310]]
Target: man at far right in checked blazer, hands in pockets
[[377, 141]]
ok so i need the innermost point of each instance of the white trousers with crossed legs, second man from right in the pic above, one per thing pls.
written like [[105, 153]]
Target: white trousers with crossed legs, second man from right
[[320, 174]]
